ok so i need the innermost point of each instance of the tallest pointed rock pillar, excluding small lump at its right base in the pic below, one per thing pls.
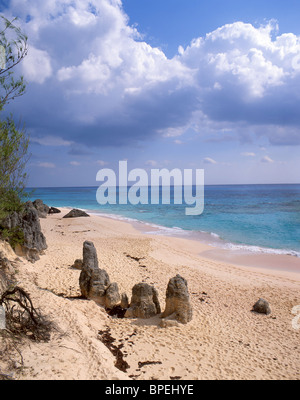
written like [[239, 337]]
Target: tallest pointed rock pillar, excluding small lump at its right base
[[93, 281]]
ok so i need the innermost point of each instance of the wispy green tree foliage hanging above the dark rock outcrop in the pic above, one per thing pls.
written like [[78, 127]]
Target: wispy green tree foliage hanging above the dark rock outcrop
[[13, 140]]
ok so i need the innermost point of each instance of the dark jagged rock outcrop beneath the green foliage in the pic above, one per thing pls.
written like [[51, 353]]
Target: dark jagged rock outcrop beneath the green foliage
[[28, 223]]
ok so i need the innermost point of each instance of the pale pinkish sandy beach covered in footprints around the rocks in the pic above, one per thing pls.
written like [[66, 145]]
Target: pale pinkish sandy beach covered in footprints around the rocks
[[224, 340]]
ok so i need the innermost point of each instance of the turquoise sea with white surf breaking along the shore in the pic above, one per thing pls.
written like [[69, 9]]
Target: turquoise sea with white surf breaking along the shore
[[259, 218]]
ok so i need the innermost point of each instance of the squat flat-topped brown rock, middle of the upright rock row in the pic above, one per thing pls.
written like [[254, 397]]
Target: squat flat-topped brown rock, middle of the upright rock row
[[144, 302]]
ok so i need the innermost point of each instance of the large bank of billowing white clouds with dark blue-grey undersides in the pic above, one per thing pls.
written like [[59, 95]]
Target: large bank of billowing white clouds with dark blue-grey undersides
[[93, 78]]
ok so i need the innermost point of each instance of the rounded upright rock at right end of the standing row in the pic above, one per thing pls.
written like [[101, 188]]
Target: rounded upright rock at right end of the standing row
[[177, 300]]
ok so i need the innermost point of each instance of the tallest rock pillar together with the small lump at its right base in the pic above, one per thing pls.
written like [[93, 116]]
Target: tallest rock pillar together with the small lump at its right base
[[94, 282]]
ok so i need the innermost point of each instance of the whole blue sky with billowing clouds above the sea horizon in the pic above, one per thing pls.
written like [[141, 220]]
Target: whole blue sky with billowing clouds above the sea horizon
[[186, 84]]
